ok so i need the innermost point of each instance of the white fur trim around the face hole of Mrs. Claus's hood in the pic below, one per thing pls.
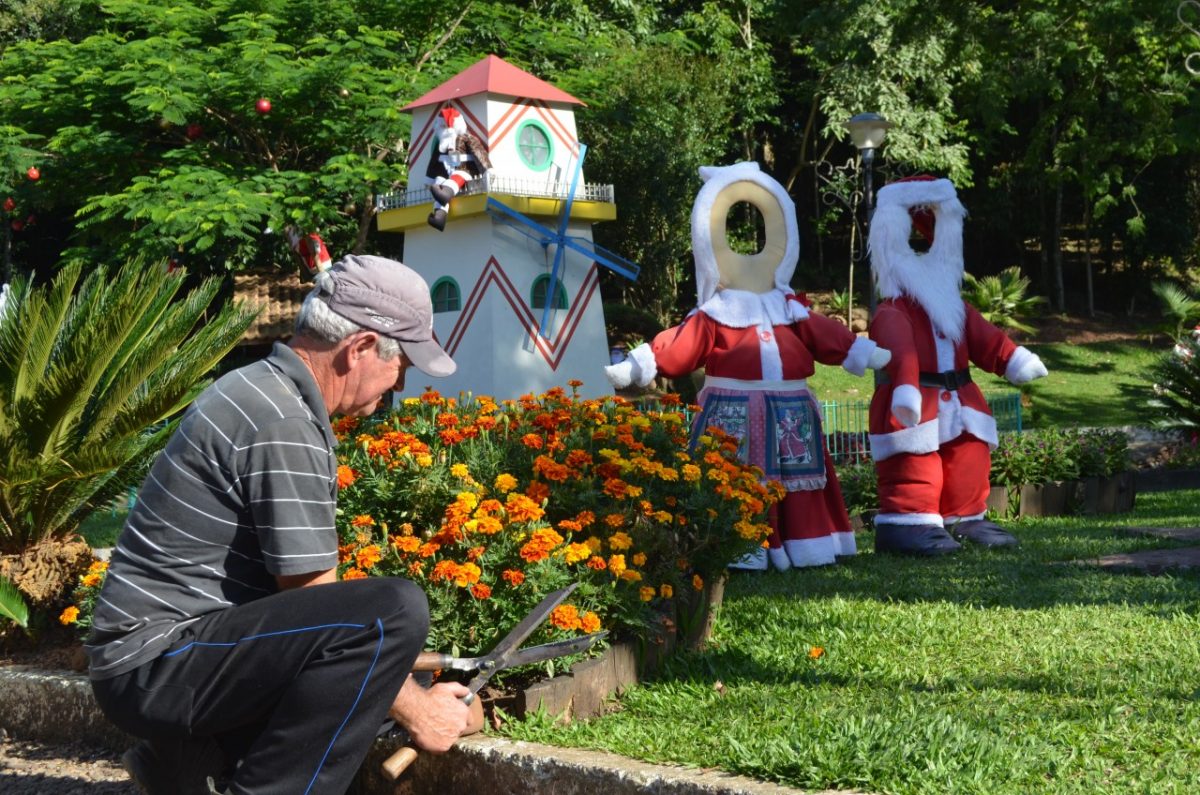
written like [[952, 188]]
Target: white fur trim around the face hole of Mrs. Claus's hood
[[718, 178]]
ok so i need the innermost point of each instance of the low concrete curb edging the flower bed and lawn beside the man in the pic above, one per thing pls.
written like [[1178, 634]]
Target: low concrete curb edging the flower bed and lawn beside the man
[[58, 708]]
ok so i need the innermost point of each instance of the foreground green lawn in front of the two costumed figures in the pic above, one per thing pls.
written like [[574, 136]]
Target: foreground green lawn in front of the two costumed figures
[[986, 673]]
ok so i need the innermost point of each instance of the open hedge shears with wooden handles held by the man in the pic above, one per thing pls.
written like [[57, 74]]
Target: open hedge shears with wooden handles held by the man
[[507, 654]]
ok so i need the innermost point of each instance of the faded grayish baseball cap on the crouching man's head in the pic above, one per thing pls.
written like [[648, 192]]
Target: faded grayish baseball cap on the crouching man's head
[[393, 300]]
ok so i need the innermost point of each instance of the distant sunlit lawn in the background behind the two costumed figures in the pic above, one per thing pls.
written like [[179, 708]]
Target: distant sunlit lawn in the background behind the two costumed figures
[[1091, 385]]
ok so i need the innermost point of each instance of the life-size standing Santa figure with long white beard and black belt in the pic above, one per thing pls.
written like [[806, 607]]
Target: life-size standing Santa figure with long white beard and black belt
[[932, 431]]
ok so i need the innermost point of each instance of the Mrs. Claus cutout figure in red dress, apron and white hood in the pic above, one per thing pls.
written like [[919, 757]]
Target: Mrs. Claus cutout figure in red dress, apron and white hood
[[758, 344]]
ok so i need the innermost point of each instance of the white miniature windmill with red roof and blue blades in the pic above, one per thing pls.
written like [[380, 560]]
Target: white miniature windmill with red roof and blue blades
[[509, 310]]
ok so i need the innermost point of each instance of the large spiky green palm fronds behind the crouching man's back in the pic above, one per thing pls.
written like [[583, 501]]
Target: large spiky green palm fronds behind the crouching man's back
[[92, 370]]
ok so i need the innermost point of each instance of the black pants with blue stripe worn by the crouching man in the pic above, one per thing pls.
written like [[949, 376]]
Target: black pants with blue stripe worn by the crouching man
[[296, 685]]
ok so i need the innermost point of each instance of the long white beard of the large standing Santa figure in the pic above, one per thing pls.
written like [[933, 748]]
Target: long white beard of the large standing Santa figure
[[933, 279]]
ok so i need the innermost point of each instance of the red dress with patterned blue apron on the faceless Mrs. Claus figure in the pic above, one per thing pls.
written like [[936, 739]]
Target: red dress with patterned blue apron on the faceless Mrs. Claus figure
[[755, 390]]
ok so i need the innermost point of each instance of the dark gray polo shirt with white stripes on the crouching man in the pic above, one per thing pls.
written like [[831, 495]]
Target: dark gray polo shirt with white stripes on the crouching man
[[245, 491]]
